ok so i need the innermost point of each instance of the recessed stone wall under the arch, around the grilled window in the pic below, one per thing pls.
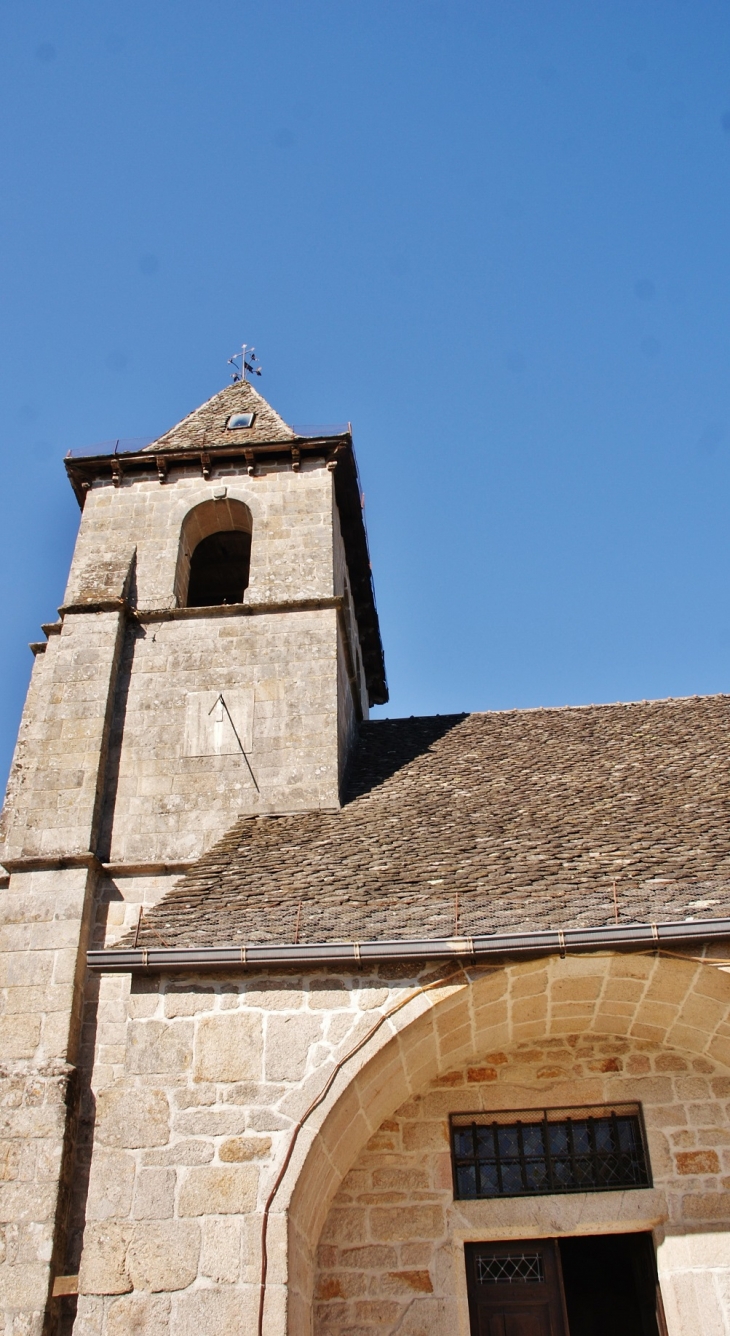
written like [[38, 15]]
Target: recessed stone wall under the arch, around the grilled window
[[391, 1257]]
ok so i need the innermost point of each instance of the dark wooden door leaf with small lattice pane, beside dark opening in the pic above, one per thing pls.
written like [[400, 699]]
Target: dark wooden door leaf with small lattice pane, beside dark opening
[[515, 1289]]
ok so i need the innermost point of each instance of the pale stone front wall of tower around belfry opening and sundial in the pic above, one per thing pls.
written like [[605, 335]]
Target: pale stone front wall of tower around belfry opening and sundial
[[164, 805]]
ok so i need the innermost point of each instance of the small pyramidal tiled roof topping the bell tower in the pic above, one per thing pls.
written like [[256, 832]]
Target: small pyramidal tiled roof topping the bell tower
[[208, 426]]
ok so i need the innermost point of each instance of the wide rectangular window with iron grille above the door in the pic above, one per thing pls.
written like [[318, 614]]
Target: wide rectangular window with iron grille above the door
[[530, 1152]]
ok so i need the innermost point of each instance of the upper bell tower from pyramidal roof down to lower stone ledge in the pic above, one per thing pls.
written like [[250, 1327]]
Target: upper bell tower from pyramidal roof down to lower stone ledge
[[217, 645]]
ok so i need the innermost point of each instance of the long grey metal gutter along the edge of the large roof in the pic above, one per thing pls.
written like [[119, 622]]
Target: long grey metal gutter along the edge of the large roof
[[259, 956]]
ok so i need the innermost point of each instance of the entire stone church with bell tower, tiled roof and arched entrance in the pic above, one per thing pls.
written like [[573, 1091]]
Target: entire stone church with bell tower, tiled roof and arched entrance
[[322, 1027]]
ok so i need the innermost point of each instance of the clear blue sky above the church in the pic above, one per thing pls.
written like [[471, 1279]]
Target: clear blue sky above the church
[[493, 236]]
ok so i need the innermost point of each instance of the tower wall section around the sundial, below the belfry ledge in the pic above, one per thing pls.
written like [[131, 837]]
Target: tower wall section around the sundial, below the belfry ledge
[[164, 805]]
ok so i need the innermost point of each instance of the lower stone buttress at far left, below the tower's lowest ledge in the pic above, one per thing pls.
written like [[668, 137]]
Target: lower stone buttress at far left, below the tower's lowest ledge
[[42, 937]]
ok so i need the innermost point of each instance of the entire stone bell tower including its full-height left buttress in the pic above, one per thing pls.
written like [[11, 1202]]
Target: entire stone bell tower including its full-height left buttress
[[217, 646]]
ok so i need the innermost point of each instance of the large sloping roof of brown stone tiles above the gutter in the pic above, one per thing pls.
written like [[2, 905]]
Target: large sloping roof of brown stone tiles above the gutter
[[495, 822]]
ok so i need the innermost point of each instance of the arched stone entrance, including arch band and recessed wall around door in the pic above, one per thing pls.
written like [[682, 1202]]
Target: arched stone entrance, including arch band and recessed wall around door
[[652, 1027]]
